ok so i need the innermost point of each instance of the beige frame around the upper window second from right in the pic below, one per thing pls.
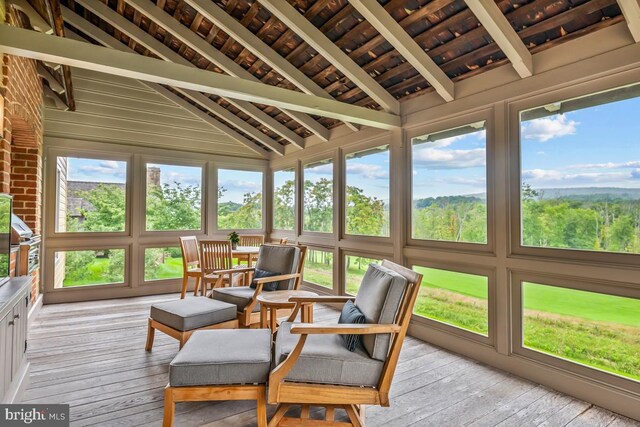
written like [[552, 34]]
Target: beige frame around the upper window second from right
[[488, 116]]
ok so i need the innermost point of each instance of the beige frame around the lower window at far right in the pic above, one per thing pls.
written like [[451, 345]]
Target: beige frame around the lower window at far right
[[517, 277]]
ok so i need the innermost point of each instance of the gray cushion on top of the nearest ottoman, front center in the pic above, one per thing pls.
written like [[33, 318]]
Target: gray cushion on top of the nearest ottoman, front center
[[221, 357]]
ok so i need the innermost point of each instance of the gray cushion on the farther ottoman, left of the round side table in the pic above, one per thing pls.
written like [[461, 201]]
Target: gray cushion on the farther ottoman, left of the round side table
[[192, 313]]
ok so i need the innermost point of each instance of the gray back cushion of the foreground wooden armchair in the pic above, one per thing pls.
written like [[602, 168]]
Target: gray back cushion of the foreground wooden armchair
[[379, 299]]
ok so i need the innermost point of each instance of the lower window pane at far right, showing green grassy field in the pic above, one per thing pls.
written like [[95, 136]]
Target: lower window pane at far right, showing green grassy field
[[596, 330]]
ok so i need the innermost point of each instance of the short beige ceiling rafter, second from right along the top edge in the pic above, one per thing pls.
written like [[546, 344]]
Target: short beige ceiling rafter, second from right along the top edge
[[501, 31]]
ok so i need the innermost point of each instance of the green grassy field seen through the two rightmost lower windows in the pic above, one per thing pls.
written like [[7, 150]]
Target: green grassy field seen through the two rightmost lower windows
[[593, 329]]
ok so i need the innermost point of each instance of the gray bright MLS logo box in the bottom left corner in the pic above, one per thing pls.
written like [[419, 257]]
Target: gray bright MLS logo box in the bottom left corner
[[34, 415]]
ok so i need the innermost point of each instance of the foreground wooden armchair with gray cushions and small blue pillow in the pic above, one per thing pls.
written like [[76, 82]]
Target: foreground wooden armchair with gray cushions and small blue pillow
[[314, 368]]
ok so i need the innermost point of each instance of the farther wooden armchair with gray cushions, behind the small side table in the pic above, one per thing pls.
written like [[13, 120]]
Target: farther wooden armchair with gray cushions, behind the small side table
[[288, 260]]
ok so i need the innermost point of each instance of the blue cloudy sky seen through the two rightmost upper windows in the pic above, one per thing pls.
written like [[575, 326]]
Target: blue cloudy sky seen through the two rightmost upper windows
[[593, 147]]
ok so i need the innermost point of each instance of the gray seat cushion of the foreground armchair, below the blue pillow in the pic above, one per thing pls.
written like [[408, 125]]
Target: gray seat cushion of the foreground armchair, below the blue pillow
[[326, 360]]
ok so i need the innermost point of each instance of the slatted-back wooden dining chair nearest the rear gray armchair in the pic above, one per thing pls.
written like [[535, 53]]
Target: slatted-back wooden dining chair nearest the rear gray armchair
[[217, 265]]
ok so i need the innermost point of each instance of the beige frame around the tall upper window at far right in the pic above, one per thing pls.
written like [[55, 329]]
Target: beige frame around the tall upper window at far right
[[514, 171]]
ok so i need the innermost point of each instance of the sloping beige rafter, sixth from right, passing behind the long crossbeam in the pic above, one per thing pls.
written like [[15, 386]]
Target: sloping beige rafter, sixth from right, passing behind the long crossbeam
[[189, 38]]
